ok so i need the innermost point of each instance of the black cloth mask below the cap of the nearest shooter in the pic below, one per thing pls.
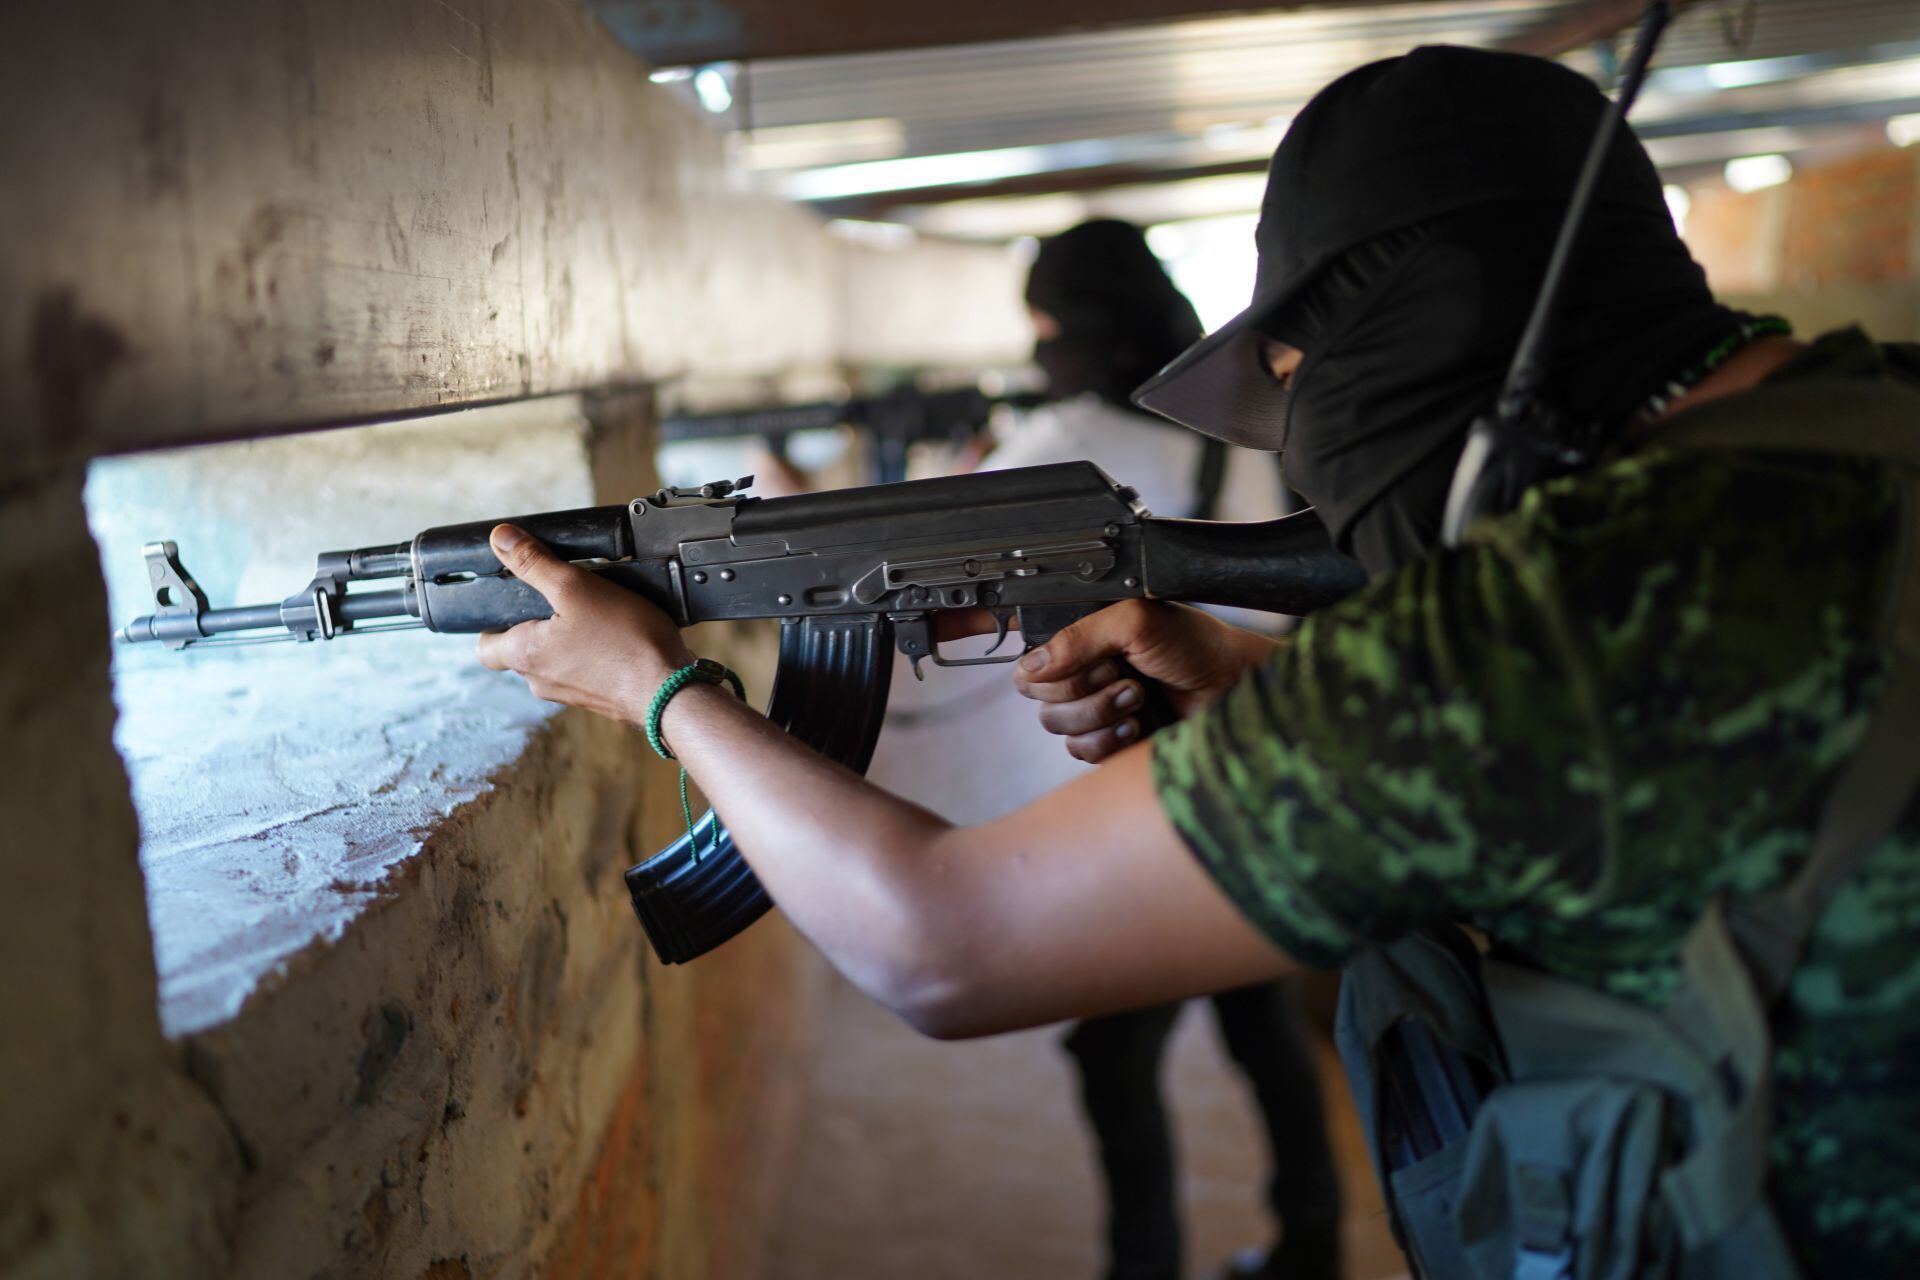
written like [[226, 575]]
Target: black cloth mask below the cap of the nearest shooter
[[1412, 339]]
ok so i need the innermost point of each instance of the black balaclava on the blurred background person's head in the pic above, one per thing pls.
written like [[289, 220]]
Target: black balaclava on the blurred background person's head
[[1120, 316]]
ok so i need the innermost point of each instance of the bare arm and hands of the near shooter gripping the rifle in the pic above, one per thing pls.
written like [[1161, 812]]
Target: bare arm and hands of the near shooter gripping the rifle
[[1076, 905]]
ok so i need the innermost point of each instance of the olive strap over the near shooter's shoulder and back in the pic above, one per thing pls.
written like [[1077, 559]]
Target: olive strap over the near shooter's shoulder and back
[[1719, 1191]]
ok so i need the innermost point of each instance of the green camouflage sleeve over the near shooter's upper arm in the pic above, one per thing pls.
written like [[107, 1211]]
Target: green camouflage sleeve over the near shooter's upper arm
[[1422, 751]]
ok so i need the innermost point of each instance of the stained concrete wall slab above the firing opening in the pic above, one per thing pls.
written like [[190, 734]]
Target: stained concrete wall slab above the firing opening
[[231, 216]]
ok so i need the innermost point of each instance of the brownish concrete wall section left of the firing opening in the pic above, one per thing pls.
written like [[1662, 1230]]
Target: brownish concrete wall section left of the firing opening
[[112, 1164]]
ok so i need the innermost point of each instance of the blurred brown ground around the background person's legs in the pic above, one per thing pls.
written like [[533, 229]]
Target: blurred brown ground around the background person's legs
[[949, 1162]]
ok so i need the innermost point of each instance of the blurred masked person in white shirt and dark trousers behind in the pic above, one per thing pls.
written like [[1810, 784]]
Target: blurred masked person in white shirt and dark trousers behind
[[1107, 318]]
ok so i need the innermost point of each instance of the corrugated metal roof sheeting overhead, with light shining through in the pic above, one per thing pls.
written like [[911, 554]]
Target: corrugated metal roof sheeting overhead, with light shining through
[[1186, 95]]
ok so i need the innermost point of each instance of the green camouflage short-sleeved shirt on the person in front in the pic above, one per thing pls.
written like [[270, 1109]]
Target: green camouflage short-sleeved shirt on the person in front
[[1633, 696]]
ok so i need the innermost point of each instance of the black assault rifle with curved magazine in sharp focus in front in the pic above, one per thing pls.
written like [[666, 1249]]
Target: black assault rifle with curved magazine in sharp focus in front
[[850, 575]]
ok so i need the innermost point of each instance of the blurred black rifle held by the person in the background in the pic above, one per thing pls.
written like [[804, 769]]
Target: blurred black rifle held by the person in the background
[[894, 423]]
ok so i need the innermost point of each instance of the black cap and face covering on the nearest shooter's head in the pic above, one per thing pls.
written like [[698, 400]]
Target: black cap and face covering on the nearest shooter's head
[[1403, 239]]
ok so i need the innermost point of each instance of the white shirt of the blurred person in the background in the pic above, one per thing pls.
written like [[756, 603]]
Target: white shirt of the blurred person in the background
[[965, 744]]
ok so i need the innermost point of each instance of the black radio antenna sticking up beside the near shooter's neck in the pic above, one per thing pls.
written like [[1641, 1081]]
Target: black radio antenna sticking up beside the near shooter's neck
[[1524, 440]]
